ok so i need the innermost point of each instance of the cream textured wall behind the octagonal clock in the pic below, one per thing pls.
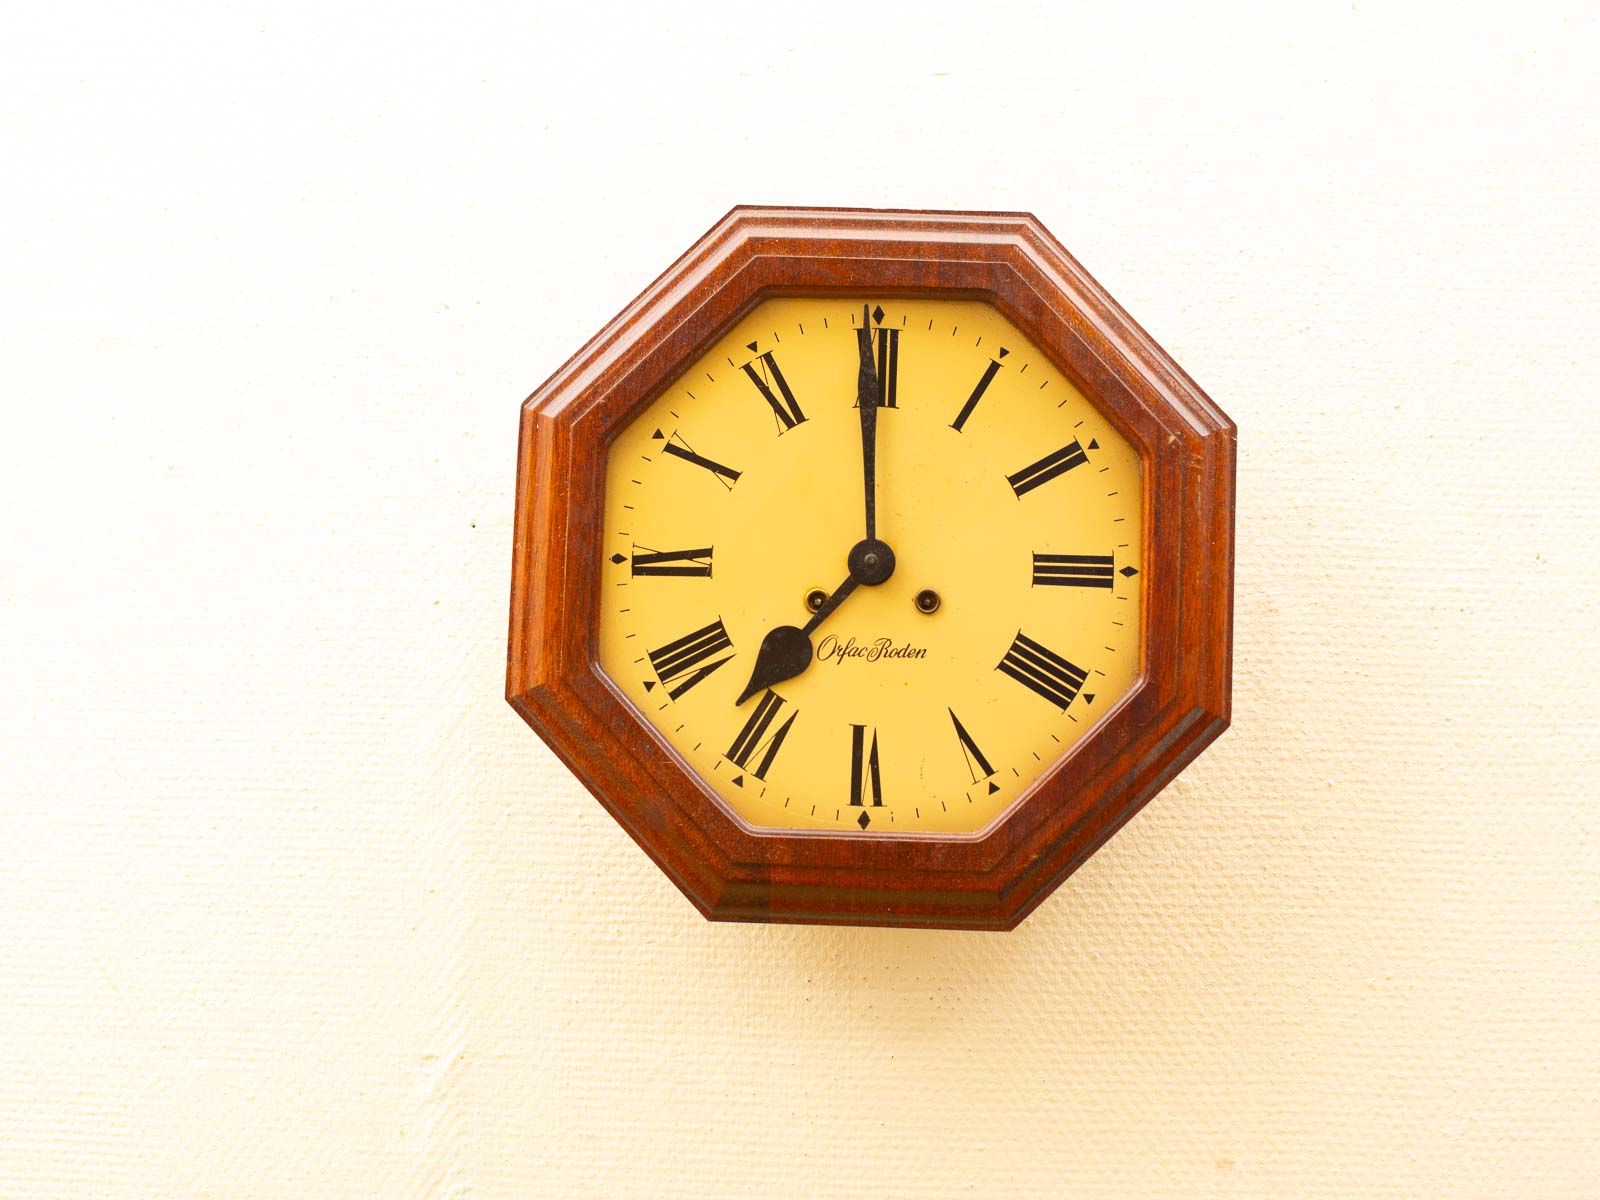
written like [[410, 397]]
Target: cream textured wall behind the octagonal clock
[[294, 906]]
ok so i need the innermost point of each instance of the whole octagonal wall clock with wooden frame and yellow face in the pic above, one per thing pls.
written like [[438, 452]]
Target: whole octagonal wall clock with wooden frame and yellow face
[[873, 567]]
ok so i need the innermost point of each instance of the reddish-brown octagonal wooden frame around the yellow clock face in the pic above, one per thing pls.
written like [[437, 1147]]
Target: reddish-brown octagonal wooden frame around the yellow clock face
[[990, 881]]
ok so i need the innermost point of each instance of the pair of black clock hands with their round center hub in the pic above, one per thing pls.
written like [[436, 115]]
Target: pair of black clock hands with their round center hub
[[786, 650]]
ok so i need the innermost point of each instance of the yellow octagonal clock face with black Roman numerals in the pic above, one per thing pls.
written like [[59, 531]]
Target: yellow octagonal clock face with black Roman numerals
[[908, 678]]
